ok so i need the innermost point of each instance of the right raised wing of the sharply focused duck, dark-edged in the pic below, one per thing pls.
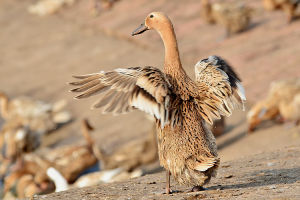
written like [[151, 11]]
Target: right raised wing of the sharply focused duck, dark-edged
[[220, 89]]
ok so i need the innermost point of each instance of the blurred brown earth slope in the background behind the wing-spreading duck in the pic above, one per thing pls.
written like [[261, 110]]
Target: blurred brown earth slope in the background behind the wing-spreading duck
[[40, 54]]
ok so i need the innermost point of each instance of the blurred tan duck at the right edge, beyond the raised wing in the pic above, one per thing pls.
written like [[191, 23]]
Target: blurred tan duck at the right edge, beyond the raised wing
[[282, 104]]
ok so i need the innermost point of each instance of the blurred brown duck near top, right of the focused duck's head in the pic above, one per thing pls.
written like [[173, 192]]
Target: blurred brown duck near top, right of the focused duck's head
[[234, 16]]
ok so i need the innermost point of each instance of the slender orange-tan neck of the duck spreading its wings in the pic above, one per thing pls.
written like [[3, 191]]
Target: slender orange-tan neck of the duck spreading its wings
[[172, 65]]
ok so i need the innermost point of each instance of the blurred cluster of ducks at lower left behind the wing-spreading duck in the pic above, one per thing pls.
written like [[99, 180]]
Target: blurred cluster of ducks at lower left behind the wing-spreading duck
[[27, 167]]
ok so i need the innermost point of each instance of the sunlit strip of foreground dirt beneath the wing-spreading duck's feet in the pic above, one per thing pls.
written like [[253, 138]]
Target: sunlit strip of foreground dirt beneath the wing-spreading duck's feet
[[269, 175]]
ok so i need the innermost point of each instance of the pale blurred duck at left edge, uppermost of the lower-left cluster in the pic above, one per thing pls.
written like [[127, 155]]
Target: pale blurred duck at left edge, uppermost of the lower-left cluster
[[39, 116]]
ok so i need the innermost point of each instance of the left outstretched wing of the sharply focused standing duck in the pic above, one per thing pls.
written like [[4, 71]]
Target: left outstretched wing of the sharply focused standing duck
[[120, 90]]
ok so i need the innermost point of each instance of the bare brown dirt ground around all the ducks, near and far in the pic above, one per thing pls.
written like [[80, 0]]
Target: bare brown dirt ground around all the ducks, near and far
[[40, 54]]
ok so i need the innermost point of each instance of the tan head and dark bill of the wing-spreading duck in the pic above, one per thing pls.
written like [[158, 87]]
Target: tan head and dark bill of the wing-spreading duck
[[155, 20]]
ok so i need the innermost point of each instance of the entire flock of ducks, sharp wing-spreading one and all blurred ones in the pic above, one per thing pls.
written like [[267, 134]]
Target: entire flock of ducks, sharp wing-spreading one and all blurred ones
[[186, 114]]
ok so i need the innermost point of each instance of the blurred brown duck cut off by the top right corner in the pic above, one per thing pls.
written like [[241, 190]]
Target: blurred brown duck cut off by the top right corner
[[288, 6]]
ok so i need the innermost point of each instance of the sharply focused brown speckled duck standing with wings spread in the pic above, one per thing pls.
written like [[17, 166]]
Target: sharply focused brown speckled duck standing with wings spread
[[181, 106]]
